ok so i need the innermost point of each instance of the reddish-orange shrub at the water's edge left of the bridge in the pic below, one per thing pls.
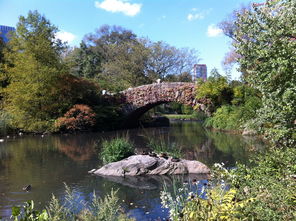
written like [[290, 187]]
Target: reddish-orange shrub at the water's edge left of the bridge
[[79, 118]]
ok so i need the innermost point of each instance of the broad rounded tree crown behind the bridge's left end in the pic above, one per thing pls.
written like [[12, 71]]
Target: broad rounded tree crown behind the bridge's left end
[[113, 56]]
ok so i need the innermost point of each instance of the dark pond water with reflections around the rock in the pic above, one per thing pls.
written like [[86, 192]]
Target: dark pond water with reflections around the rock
[[47, 162]]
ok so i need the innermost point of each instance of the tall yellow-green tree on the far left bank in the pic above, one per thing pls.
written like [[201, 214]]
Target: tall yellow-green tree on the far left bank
[[34, 51]]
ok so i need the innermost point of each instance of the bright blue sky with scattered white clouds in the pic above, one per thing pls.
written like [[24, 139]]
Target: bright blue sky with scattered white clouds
[[181, 23]]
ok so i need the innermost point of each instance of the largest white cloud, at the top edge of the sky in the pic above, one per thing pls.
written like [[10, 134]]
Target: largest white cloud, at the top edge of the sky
[[119, 6]]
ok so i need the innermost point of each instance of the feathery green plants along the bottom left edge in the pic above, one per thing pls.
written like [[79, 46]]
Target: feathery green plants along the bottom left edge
[[99, 209]]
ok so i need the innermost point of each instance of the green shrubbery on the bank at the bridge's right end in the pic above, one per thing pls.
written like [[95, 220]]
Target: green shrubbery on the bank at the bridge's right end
[[235, 103]]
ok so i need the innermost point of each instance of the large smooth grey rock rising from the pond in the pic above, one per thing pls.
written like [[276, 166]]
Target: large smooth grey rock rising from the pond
[[137, 165]]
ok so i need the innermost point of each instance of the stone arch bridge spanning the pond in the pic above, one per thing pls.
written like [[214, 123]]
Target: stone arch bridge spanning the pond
[[140, 99]]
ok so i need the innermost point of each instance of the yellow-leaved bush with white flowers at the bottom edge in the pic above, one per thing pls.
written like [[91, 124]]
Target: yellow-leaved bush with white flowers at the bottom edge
[[187, 203]]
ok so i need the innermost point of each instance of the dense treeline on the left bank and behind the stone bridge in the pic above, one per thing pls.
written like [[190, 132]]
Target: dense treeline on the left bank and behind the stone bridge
[[42, 78]]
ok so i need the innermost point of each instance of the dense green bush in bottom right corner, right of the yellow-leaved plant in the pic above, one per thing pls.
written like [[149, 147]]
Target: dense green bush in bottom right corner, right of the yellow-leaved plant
[[271, 182]]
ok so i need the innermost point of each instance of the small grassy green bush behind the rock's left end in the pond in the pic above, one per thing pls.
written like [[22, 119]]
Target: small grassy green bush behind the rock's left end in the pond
[[116, 149]]
